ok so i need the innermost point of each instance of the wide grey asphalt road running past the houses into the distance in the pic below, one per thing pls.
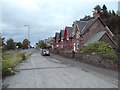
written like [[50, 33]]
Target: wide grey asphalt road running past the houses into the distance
[[54, 72]]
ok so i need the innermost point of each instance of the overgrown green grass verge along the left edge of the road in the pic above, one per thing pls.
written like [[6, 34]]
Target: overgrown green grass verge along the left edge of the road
[[9, 62]]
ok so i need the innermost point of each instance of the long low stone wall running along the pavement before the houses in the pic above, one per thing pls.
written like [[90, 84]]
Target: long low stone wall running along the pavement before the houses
[[91, 58]]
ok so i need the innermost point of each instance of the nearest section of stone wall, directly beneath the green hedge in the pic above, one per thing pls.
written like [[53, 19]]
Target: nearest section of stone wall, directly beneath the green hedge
[[96, 59]]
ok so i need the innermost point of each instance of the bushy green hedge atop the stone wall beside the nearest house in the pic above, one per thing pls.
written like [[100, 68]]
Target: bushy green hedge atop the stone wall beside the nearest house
[[105, 50]]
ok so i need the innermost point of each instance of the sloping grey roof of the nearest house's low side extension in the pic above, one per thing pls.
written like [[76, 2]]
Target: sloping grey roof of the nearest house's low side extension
[[95, 38]]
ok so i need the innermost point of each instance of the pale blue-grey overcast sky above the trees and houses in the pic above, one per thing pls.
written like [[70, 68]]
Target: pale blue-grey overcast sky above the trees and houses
[[45, 17]]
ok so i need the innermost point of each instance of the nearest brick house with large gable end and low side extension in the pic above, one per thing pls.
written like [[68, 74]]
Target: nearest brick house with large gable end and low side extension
[[85, 32]]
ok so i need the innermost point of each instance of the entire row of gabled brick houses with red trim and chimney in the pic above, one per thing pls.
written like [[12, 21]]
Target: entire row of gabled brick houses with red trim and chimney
[[82, 33]]
